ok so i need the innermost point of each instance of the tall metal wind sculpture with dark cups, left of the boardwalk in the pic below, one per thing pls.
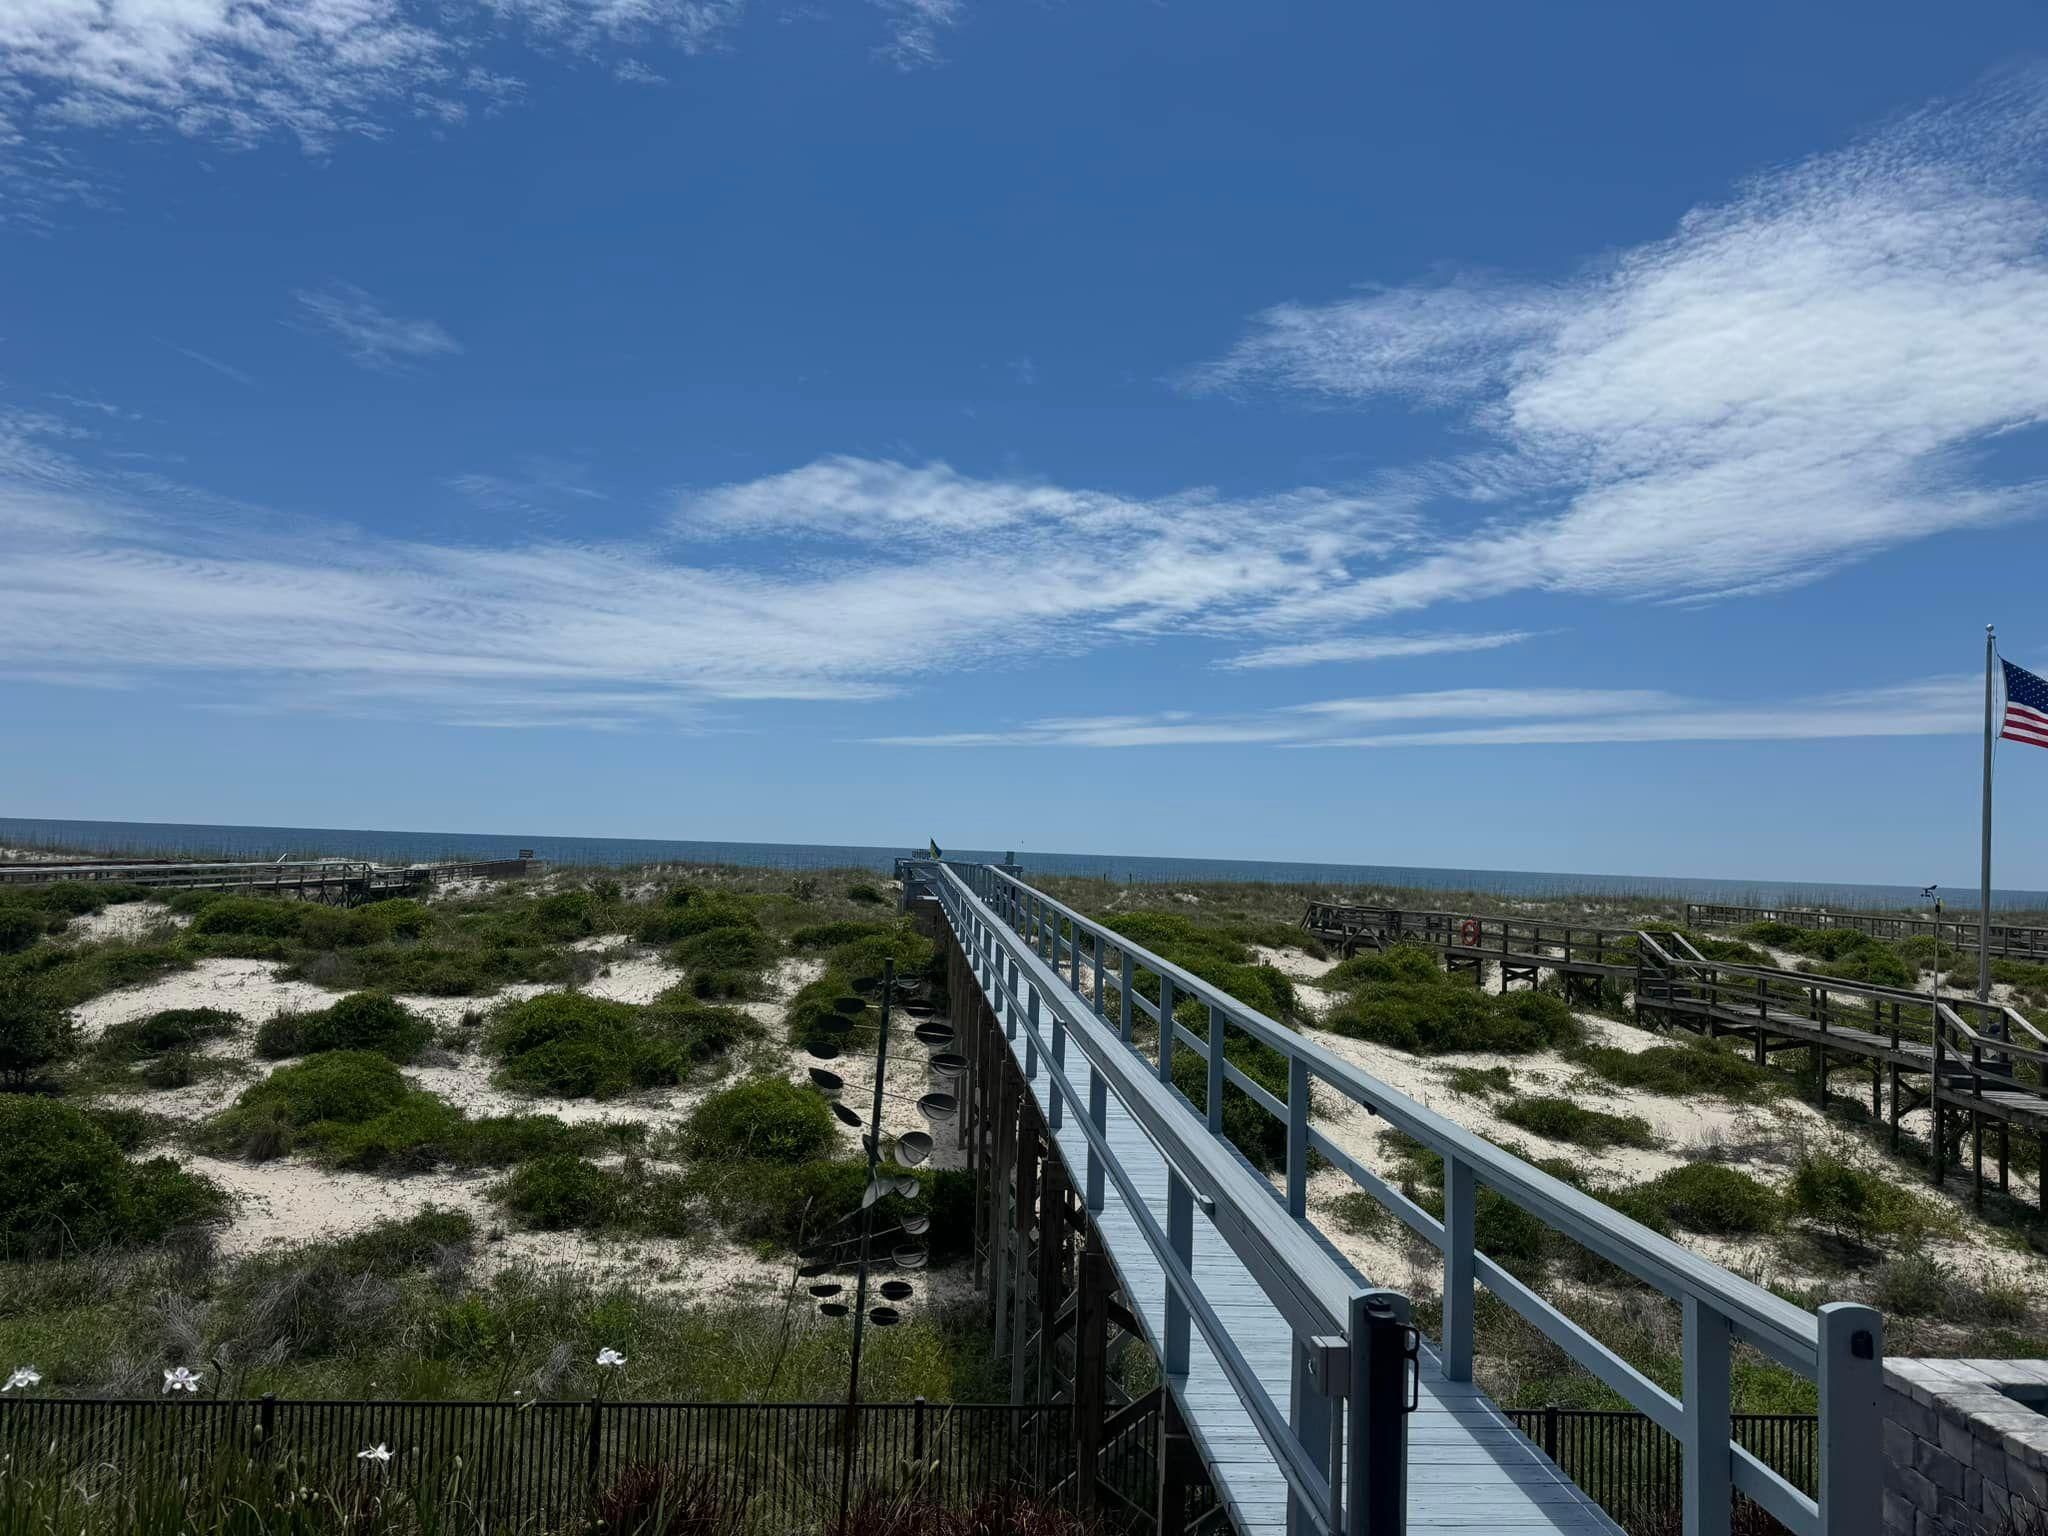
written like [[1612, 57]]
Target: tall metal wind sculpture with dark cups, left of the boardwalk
[[869, 1009]]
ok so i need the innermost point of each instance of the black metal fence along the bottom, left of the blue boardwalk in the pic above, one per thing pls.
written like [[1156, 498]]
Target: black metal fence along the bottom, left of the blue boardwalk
[[540, 1465]]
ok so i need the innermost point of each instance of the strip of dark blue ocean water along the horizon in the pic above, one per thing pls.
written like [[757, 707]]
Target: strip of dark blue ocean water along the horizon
[[171, 839]]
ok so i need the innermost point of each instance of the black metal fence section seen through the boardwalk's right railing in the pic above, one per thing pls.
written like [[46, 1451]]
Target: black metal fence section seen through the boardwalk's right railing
[[1635, 1471]]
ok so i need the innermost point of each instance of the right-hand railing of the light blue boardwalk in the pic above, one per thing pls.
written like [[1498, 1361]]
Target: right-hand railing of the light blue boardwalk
[[1840, 1347]]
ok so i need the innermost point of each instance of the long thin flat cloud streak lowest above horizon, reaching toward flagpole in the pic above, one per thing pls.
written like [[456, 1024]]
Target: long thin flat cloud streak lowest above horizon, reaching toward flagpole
[[1519, 718]]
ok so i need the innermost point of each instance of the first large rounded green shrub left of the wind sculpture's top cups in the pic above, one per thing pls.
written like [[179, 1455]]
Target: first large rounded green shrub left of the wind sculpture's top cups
[[585, 1048]]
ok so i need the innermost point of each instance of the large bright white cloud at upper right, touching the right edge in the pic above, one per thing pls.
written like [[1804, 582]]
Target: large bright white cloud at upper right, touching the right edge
[[1789, 382]]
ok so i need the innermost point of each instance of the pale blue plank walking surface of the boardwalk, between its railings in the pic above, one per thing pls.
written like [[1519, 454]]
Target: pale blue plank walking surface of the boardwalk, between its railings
[[1469, 1467]]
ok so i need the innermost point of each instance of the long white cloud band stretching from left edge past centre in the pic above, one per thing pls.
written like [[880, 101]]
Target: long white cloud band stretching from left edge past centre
[[136, 577]]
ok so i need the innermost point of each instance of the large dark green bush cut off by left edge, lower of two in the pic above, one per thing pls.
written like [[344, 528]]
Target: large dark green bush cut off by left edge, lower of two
[[67, 1187]]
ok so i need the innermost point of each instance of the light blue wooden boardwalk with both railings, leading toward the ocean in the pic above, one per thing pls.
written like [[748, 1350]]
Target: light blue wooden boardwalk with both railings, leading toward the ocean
[[1265, 1332]]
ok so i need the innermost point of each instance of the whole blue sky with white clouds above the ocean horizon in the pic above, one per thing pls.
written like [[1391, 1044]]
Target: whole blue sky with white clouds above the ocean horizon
[[1572, 437]]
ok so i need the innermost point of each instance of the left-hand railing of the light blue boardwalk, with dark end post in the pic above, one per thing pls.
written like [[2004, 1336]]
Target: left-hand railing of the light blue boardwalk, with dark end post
[[1342, 1461]]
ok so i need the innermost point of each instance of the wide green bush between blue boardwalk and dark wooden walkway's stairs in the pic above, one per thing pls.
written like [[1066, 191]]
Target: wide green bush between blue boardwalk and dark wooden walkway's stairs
[[1404, 998]]
